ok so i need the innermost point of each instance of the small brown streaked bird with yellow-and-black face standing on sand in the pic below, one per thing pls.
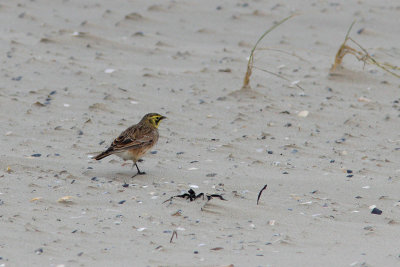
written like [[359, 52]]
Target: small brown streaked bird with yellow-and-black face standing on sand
[[135, 141]]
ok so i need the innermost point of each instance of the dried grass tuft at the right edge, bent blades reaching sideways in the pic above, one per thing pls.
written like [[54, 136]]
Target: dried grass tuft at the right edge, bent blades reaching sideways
[[361, 55]]
